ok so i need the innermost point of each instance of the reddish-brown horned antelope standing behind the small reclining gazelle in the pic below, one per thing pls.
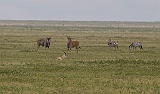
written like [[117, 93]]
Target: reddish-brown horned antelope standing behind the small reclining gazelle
[[72, 44]]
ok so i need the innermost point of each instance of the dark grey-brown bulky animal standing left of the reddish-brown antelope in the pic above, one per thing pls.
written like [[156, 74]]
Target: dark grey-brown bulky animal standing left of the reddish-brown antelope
[[43, 42]]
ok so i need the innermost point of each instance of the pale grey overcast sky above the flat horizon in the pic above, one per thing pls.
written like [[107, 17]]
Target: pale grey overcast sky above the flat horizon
[[80, 10]]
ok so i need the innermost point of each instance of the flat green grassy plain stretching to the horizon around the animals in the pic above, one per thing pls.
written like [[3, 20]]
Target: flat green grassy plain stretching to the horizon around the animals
[[96, 69]]
